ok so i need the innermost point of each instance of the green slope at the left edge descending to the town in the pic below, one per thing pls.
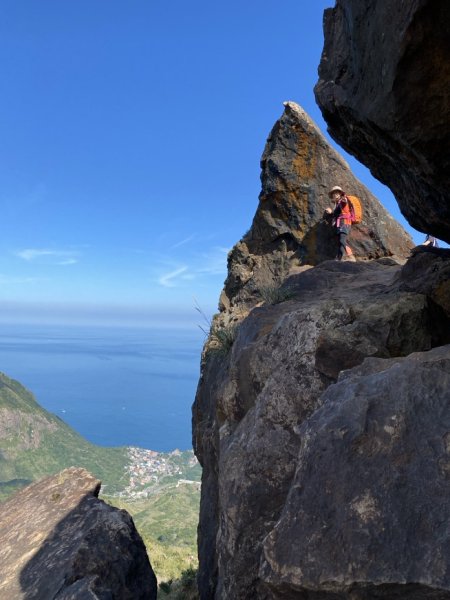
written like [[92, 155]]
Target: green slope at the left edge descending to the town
[[35, 443]]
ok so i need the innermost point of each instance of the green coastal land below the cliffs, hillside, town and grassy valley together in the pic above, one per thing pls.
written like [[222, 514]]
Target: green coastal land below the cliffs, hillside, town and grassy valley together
[[161, 491]]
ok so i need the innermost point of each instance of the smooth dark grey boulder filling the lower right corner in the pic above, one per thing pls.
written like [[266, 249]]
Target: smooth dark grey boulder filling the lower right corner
[[368, 511]]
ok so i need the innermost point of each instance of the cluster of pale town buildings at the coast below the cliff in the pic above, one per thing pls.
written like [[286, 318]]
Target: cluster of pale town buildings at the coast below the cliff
[[148, 471]]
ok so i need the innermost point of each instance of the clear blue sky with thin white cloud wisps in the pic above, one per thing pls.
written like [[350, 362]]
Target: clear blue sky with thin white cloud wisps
[[131, 138]]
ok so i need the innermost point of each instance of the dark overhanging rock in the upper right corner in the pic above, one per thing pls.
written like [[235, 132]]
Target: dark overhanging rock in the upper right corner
[[384, 90]]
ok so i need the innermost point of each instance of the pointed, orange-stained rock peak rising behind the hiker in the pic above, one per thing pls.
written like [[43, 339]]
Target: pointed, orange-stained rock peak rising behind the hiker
[[299, 168]]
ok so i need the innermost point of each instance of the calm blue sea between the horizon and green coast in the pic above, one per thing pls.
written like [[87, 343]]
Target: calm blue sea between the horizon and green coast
[[115, 386]]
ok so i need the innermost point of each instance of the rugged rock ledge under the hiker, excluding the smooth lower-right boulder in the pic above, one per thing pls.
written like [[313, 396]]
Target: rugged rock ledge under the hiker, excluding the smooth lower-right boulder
[[253, 406]]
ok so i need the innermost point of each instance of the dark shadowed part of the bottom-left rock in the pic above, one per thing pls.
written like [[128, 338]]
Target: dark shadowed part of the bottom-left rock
[[94, 552]]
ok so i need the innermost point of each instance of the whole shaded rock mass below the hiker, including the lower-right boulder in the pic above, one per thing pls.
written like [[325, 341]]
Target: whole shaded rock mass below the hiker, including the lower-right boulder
[[309, 475]]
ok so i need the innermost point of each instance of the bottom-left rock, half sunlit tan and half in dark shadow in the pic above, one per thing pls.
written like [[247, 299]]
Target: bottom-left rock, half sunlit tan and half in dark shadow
[[59, 541]]
